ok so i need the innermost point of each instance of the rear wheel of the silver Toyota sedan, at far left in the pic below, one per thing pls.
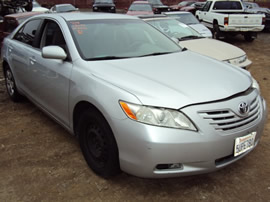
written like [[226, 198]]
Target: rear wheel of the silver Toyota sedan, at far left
[[11, 85]]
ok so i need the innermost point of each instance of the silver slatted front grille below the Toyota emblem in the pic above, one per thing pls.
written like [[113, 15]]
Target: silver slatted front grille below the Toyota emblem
[[225, 120]]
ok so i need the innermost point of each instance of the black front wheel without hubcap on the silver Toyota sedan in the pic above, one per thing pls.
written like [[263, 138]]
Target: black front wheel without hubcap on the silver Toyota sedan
[[98, 144]]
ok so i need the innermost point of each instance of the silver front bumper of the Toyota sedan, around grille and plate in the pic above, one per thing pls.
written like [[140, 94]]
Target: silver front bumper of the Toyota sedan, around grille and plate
[[142, 147]]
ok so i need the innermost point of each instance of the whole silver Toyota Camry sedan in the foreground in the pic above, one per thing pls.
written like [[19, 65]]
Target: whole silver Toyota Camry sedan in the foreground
[[135, 99]]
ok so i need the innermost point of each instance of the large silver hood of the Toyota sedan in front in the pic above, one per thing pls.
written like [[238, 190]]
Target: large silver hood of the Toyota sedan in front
[[173, 80]]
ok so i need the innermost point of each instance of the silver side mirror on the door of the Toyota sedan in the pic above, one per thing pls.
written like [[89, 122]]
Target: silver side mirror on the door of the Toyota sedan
[[53, 52]]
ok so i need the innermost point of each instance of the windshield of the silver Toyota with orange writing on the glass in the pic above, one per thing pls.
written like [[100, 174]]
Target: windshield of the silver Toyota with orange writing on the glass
[[118, 39]]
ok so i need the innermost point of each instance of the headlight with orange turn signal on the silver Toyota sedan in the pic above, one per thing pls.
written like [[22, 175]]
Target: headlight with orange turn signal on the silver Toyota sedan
[[157, 116]]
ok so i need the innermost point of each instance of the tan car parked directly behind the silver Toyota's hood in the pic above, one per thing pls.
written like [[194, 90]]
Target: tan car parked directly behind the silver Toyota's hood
[[192, 40]]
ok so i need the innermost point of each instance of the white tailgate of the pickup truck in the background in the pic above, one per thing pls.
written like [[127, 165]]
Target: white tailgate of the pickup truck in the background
[[245, 20]]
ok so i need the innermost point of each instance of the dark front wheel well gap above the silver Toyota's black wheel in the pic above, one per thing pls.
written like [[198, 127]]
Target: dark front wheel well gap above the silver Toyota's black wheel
[[79, 108]]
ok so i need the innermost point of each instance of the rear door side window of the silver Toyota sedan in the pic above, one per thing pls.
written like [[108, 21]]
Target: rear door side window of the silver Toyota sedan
[[27, 33]]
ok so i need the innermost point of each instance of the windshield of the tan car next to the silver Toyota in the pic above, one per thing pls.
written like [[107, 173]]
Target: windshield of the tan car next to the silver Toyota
[[174, 29]]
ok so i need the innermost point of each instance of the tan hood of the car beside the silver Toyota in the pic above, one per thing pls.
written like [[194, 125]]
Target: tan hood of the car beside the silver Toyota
[[213, 48]]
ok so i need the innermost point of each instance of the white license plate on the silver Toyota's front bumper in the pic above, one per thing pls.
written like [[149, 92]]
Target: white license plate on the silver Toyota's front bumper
[[243, 144]]
